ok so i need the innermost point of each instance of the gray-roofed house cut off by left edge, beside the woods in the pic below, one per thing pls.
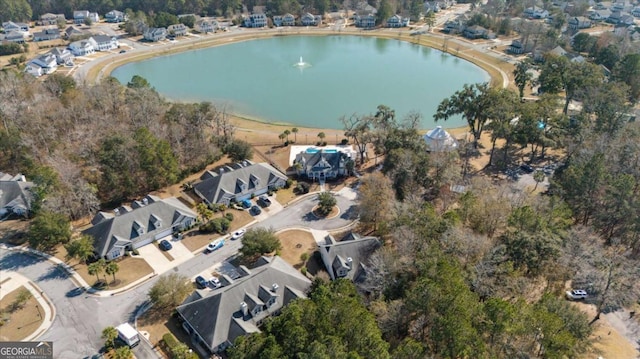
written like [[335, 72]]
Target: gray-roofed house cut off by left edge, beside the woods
[[16, 197]]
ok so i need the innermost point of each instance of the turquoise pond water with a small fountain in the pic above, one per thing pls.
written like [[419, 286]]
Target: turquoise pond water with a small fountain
[[342, 75]]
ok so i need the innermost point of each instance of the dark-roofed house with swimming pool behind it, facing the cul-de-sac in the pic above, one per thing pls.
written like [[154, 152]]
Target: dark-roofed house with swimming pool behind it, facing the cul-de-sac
[[321, 164]]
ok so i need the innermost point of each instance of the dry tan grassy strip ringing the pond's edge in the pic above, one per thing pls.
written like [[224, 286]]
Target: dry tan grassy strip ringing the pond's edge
[[104, 67]]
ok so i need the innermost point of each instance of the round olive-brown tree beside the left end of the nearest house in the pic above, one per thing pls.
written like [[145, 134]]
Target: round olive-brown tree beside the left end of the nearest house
[[169, 291]]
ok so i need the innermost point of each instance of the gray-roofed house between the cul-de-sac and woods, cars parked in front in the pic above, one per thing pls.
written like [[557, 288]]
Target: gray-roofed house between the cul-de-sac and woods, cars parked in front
[[238, 182]]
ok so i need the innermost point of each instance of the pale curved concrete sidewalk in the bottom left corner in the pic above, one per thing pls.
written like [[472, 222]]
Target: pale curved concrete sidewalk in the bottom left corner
[[15, 281]]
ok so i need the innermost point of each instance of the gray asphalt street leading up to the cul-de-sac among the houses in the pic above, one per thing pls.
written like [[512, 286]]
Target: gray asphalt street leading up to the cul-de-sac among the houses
[[80, 317]]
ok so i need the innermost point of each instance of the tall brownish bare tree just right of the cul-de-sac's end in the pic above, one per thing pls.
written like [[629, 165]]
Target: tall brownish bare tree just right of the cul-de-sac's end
[[377, 200]]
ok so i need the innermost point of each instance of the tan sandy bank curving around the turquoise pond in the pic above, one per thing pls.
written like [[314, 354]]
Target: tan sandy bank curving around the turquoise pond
[[261, 132]]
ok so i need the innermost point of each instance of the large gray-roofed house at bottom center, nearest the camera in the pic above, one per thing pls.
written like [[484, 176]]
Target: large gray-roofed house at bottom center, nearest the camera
[[215, 318]]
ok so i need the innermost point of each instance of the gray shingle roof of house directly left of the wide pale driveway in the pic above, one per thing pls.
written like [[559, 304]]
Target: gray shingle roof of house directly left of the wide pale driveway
[[121, 229]]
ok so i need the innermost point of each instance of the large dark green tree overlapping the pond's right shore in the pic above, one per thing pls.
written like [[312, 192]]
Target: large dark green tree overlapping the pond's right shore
[[471, 102]]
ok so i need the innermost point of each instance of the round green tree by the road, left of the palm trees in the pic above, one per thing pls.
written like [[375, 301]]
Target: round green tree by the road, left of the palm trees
[[47, 230]]
